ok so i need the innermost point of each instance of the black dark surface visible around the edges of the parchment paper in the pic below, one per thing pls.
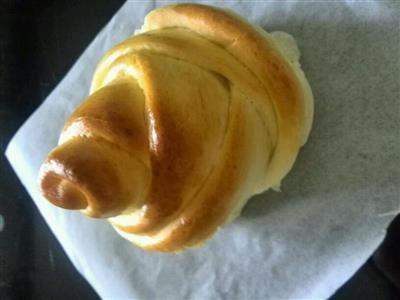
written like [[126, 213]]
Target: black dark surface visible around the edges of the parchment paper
[[39, 42]]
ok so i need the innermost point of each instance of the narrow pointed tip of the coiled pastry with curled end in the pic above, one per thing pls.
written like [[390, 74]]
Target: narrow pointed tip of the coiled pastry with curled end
[[102, 153]]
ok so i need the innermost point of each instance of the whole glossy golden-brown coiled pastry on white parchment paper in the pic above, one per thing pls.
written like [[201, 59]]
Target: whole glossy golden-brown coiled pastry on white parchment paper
[[185, 121]]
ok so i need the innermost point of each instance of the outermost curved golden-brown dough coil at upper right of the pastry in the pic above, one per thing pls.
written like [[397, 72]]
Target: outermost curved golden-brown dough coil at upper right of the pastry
[[261, 56]]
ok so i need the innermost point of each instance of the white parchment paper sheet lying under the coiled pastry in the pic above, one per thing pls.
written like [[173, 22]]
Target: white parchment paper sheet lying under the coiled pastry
[[335, 205]]
